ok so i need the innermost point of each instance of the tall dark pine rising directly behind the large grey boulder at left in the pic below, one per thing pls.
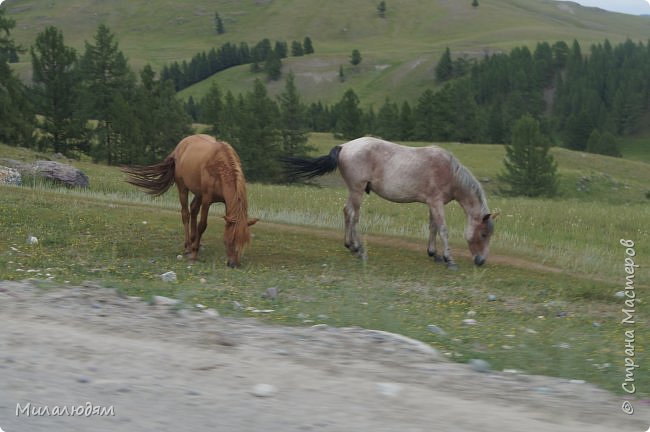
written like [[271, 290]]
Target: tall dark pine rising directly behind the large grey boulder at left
[[56, 92]]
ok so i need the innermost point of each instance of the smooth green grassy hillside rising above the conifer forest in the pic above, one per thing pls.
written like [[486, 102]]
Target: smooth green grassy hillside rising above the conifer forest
[[399, 51]]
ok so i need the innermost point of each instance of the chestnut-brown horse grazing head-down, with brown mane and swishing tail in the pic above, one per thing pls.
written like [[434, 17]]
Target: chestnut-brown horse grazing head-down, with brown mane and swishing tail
[[211, 170]]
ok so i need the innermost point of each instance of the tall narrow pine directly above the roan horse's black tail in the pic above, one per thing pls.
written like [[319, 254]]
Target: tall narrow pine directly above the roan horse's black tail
[[293, 122]]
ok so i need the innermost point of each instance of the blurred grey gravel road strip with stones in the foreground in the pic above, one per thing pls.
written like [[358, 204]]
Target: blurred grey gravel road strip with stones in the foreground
[[162, 368]]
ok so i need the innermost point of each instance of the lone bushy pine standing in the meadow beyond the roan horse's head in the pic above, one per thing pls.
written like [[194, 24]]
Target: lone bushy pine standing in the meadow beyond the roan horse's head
[[529, 168]]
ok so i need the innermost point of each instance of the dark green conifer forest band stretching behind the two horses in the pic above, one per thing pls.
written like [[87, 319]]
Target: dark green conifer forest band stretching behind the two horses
[[93, 103]]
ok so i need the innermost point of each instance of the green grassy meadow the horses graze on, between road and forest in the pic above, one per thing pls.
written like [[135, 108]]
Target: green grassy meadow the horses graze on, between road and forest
[[553, 272]]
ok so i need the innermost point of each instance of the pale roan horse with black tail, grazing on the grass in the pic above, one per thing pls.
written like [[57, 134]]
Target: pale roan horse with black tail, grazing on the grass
[[429, 175]]
